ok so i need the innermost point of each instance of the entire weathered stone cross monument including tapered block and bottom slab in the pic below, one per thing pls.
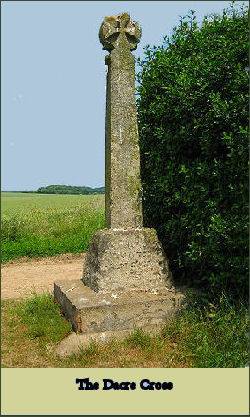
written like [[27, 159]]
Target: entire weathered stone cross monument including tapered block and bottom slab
[[126, 281]]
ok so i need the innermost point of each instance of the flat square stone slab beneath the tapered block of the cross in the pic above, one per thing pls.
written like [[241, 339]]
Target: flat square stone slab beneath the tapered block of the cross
[[94, 312]]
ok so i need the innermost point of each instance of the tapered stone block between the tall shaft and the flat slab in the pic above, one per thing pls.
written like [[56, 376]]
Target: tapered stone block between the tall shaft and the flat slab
[[126, 259]]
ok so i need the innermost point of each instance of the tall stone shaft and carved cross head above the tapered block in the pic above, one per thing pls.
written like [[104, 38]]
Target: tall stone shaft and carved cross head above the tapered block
[[119, 35]]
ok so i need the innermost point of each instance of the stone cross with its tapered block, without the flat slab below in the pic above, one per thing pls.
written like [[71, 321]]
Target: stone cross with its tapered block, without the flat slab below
[[125, 255]]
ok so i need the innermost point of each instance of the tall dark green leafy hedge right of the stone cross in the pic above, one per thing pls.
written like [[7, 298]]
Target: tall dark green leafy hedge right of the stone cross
[[193, 125]]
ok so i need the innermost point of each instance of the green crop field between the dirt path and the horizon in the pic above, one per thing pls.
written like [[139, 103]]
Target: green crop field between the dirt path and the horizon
[[45, 225]]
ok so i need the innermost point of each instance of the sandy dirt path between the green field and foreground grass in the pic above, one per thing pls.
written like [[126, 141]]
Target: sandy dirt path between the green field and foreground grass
[[23, 277]]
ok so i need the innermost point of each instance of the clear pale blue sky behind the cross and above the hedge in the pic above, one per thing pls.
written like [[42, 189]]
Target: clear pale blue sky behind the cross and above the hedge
[[53, 84]]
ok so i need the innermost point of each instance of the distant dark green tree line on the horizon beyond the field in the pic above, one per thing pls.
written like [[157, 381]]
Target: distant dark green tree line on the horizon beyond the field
[[70, 189]]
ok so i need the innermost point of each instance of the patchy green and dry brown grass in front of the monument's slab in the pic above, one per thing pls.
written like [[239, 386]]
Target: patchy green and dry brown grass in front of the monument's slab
[[198, 337]]
